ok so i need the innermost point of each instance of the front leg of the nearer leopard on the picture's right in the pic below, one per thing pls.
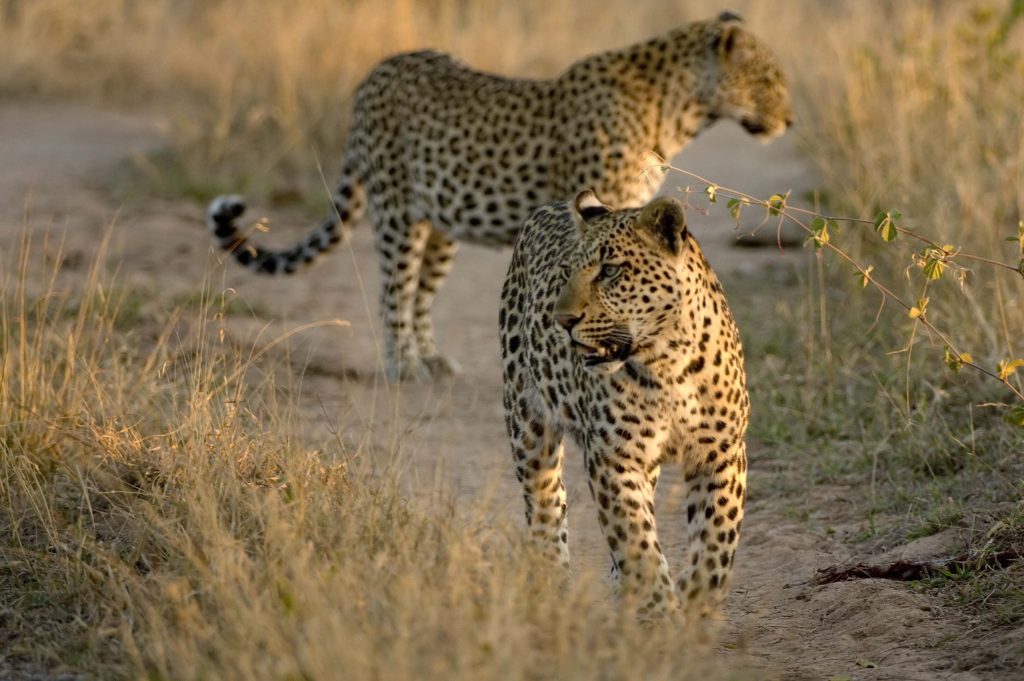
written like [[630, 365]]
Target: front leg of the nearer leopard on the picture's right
[[715, 494]]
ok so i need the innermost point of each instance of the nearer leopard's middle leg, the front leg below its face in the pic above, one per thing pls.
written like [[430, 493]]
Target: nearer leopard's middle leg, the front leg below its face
[[624, 490]]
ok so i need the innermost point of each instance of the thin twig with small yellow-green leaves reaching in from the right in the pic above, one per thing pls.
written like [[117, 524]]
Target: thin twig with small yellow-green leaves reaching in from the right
[[934, 262]]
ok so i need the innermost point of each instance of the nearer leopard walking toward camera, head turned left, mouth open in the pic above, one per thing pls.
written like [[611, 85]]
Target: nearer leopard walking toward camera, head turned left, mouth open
[[616, 332]]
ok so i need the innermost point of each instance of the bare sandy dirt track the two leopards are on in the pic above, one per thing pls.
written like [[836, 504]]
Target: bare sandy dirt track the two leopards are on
[[451, 434]]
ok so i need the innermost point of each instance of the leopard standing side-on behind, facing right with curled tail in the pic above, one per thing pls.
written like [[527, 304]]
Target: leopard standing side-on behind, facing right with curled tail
[[440, 153]]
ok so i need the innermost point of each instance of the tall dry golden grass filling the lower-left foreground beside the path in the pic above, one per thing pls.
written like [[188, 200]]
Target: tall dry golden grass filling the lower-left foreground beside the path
[[160, 520]]
